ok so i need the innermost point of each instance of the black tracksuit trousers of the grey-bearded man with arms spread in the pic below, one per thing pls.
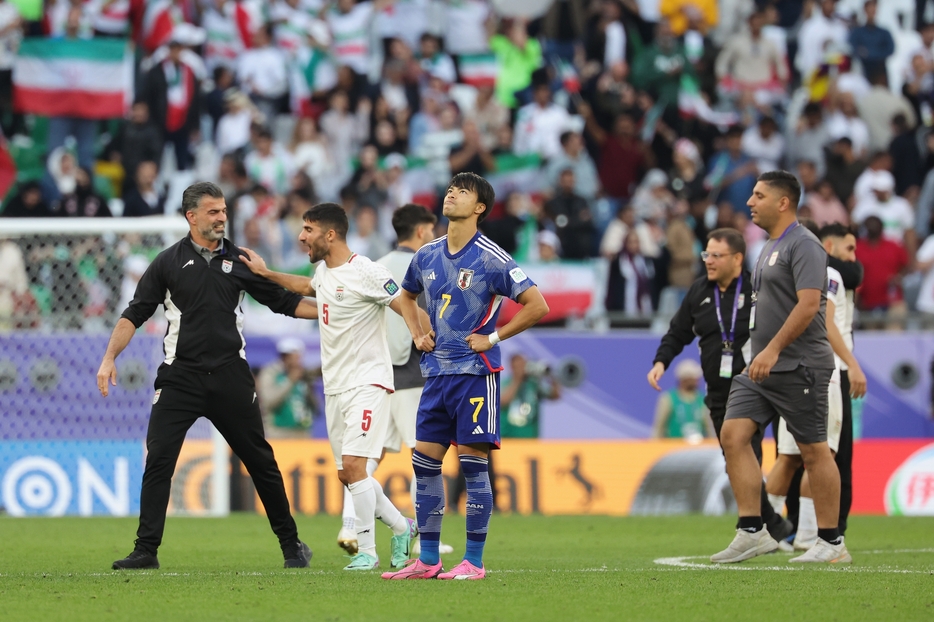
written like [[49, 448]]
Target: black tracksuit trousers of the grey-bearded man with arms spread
[[227, 397]]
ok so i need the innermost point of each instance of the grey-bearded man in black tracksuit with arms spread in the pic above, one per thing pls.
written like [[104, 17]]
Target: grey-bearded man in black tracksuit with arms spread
[[201, 282]]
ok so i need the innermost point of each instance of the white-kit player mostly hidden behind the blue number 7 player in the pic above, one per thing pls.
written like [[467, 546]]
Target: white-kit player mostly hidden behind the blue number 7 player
[[415, 227]]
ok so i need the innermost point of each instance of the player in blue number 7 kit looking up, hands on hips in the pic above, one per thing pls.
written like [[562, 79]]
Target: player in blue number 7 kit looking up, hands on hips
[[464, 276]]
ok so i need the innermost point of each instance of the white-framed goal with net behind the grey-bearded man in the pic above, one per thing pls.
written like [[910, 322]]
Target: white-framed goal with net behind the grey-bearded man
[[65, 449]]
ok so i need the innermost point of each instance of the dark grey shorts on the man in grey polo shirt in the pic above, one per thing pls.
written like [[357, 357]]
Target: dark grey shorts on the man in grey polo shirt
[[798, 396]]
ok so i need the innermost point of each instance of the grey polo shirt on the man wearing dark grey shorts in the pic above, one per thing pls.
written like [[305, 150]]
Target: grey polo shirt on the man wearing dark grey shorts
[[796, 262]]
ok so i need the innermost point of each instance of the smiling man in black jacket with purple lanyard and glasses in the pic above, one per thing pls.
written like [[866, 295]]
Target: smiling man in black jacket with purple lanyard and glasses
[[716, 310]]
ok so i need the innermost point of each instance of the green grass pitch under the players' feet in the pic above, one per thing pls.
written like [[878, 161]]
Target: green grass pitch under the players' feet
[[541, 568]]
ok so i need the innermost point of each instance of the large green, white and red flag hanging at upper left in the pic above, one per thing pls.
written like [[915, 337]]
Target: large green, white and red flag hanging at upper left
[[87, 78]]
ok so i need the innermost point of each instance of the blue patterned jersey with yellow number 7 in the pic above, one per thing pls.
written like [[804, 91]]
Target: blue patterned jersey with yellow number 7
[[464, 293]]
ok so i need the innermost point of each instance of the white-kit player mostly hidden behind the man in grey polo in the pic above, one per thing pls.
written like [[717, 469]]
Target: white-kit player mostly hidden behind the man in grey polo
[[839, 242]]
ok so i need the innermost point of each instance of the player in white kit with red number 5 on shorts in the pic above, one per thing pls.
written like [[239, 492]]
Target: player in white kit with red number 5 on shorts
[[352, 293]]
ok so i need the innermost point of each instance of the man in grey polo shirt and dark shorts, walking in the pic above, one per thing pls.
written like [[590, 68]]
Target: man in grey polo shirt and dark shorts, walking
[[792, 362]]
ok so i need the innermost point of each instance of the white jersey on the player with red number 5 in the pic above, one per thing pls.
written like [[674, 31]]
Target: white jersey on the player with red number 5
[[352, 320]]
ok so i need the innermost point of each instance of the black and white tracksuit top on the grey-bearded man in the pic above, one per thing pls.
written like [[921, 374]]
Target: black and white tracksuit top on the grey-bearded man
[[203, 304]]
